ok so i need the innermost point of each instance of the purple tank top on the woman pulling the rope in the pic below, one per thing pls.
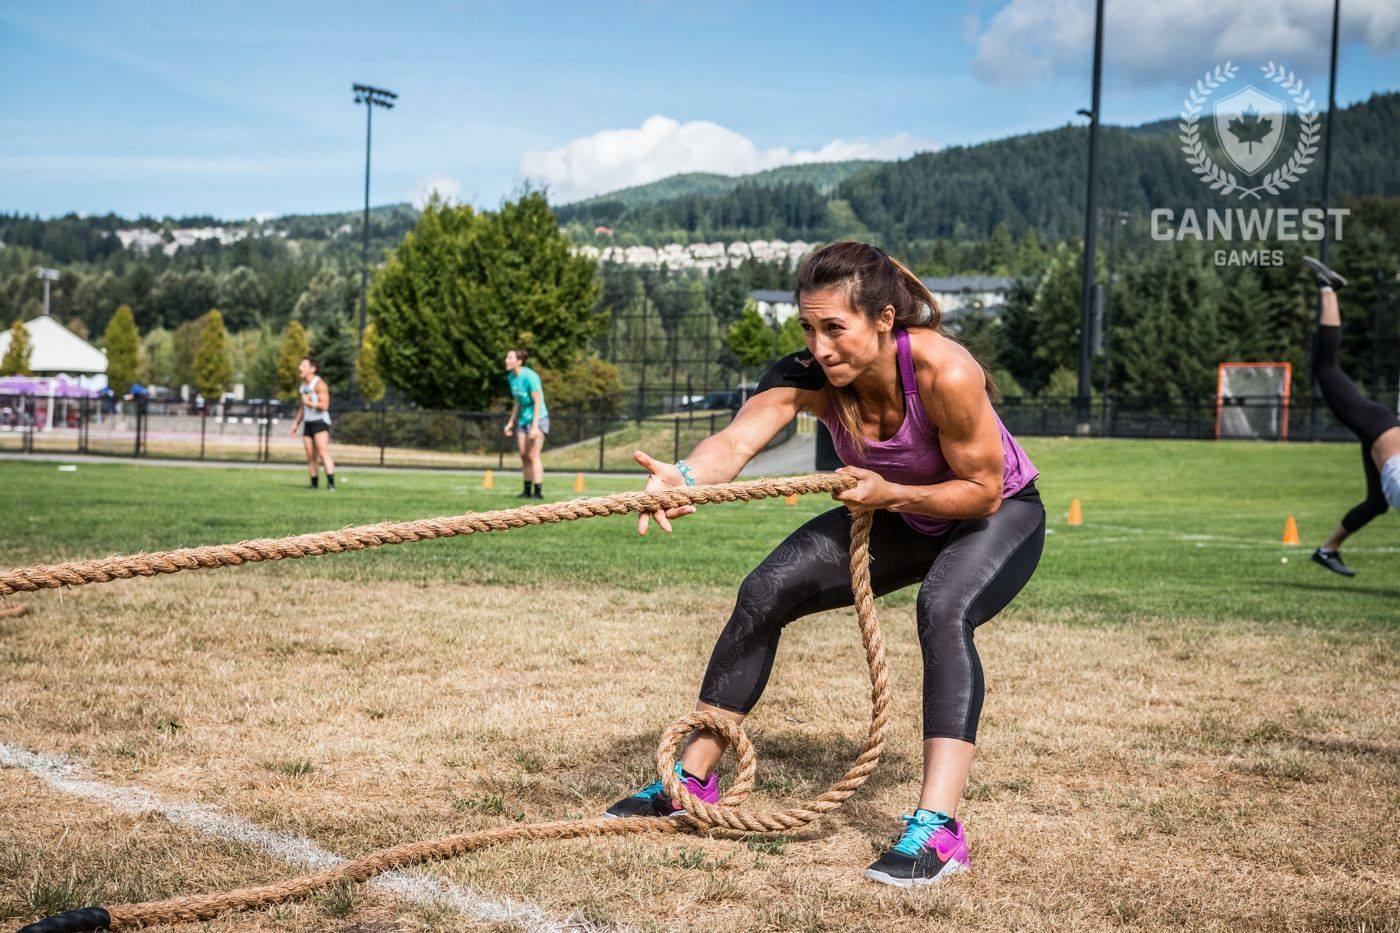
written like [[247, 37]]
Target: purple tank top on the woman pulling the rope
[[913, 456]]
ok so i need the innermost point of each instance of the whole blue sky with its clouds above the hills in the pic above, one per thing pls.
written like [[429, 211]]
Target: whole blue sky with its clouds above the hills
[[239, 110]]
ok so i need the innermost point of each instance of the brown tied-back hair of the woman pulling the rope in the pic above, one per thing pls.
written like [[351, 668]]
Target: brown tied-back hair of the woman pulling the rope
[[873, 281]]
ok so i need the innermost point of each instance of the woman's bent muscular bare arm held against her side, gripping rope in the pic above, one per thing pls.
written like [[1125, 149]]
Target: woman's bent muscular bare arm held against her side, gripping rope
[[971, 442]]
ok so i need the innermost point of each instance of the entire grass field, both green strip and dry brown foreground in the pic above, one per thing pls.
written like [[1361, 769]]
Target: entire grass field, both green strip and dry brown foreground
[[1181, 731]]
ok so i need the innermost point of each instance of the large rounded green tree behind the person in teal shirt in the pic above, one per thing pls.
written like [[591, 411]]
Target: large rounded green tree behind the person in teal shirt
[[463, 288]]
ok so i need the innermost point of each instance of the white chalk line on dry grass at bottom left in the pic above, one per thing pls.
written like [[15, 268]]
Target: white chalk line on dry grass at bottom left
[[209, 820]]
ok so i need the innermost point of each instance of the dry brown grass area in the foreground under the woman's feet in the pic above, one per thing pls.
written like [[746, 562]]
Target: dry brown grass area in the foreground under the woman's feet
[[1130, 775]]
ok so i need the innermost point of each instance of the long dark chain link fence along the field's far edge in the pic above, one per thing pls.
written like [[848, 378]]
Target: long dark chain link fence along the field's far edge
[[591, 436]]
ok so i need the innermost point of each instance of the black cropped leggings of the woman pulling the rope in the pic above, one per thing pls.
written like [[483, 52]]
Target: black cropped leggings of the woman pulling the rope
[[968, 576]]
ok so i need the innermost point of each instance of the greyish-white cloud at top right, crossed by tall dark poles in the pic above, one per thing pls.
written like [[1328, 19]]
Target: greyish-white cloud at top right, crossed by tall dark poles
[[1153, 43]]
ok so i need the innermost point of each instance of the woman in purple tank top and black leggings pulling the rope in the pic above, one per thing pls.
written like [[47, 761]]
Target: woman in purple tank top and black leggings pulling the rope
[[955, 511]]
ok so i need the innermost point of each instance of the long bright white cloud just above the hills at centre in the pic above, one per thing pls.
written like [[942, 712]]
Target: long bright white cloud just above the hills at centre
[[661, 146]]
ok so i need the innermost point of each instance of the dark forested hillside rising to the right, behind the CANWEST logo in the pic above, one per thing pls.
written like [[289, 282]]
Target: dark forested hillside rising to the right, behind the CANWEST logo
[[1034, 181]]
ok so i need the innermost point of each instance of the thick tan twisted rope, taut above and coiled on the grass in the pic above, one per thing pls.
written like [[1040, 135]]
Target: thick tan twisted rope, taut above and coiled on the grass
[[726, 817]]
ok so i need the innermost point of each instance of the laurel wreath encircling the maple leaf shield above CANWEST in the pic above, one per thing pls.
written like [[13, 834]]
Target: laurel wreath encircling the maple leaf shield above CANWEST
[[1223, 180]]
